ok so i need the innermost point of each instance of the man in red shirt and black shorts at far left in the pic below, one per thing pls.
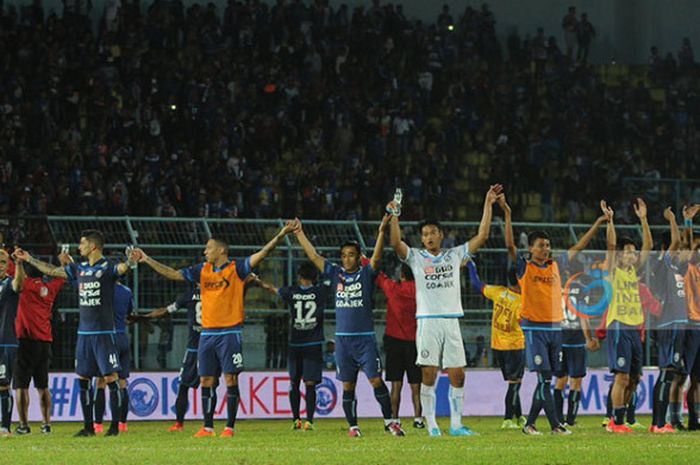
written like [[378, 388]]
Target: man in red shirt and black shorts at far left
[[33, 327]]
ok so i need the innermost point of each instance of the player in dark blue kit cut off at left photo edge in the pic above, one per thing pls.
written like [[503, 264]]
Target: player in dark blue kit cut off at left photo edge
[[9, 299]]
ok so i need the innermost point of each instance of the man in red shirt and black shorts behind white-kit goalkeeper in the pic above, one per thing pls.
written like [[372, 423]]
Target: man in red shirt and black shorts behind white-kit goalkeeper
[[400, 339]]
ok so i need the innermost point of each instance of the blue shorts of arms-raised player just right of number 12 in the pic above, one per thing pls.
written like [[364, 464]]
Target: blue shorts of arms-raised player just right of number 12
[[355, 353]]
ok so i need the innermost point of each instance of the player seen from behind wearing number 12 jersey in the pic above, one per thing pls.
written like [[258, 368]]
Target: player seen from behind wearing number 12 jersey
[[306, 302]]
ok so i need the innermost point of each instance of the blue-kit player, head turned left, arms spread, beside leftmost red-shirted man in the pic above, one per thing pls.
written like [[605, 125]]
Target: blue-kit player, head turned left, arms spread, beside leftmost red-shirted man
[[96, 351]]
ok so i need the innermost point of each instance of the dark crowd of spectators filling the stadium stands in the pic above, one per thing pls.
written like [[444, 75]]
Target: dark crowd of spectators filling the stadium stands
[[261, 110]]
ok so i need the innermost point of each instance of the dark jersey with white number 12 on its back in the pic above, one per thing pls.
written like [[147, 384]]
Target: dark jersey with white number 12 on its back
[[306, 305]]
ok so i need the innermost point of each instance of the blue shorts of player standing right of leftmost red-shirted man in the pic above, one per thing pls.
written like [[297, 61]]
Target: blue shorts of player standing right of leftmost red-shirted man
[[96, 355]]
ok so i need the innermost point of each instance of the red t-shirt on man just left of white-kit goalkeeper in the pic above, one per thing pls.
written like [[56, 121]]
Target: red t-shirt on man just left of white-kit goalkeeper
[[400, 307]]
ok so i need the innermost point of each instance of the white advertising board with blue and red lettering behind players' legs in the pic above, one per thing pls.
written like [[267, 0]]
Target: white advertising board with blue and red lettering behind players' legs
[[265, 395]]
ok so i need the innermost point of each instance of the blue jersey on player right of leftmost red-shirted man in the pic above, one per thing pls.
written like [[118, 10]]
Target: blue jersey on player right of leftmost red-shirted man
[[95, 285]]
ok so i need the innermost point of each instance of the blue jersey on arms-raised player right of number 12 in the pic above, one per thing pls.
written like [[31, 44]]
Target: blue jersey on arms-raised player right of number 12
[[353, 299]]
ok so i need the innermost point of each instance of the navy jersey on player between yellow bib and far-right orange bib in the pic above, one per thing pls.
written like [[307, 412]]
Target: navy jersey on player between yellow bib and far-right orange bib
[[668, 284]]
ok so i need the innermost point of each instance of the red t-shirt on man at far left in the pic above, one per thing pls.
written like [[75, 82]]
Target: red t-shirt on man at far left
[[34, 309]]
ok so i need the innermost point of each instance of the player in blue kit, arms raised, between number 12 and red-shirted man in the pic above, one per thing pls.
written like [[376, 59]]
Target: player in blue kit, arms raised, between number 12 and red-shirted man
[[356, 344]]
